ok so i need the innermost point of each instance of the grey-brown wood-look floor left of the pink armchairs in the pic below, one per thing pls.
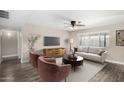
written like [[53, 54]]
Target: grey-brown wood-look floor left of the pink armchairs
[[14, 71]]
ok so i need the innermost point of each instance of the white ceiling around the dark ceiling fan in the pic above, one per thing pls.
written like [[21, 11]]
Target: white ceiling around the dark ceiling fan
[[57, 18]]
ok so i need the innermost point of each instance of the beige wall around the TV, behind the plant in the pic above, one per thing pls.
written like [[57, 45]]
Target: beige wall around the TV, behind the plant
[[42, 31]]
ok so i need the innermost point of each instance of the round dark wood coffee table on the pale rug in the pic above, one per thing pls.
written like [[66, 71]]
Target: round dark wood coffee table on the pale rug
[[73, 62]]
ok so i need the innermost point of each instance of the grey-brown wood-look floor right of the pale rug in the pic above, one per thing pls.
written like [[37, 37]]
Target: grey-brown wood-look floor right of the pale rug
[[110, 73]]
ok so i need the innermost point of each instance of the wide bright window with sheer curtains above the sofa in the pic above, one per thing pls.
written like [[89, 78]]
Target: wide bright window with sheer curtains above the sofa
[[94, 39]]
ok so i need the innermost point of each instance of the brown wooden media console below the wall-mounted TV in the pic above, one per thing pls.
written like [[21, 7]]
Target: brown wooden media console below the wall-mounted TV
[[54, 52]]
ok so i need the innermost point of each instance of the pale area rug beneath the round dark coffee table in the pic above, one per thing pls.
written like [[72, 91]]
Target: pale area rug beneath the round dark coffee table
[[84, 72]]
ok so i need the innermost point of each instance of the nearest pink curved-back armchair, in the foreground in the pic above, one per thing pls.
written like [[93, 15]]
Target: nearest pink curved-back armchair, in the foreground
[[49, 71]]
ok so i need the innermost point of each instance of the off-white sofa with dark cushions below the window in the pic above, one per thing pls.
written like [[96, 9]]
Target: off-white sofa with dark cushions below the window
[[97, 54]]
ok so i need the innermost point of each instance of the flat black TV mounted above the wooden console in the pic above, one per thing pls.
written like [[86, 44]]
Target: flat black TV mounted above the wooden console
[[51, 41]]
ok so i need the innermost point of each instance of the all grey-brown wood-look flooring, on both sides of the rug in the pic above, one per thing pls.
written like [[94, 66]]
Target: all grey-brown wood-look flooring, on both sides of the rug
[[14, 71]]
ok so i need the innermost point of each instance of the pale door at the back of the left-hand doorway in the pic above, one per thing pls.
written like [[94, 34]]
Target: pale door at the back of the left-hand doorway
[[9, 44]]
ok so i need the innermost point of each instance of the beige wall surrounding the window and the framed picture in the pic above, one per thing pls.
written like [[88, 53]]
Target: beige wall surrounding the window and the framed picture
[[115, 53]]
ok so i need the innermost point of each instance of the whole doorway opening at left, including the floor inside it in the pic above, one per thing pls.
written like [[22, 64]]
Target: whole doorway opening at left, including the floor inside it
[[10, 46]]
